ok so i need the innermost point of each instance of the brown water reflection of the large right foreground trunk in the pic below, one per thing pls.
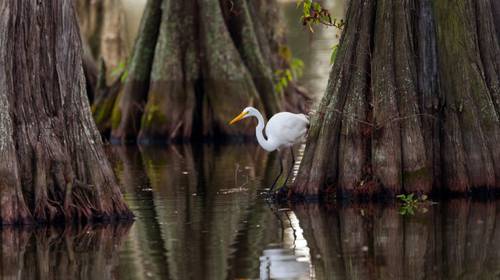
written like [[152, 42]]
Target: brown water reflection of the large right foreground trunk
[[457, 239]]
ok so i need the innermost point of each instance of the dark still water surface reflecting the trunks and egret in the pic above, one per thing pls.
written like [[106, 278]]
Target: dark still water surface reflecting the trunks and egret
[[200, 216]]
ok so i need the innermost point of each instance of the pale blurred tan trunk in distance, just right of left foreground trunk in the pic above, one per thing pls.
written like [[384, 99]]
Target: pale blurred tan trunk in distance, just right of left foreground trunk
[[105, 42]]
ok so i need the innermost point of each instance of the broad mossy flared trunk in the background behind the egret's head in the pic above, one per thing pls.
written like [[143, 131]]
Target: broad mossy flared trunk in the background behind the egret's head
[[195, 65]]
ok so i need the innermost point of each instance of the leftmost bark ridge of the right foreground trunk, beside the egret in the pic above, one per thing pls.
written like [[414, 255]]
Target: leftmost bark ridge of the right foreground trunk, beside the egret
[[318, 168]]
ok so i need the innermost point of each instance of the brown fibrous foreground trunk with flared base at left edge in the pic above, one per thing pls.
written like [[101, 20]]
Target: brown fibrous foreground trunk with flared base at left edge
[[53, 167]]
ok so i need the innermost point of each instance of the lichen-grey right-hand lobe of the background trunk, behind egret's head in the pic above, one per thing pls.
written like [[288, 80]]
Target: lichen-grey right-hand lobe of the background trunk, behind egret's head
[[226, 79]]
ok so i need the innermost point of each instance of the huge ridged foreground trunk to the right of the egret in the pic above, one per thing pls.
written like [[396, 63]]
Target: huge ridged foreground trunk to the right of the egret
[[411, 104]]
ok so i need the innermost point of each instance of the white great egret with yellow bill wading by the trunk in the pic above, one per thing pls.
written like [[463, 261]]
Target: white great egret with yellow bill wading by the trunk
[[283, 130]]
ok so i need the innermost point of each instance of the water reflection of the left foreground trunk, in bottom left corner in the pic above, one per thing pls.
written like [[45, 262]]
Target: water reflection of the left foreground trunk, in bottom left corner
[[89, 252]]
